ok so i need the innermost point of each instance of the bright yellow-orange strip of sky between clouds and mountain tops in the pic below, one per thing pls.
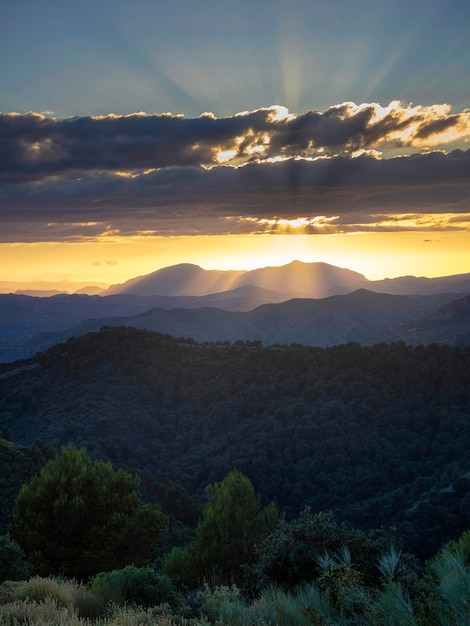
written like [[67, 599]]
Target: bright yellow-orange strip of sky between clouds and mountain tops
[[376, 255]]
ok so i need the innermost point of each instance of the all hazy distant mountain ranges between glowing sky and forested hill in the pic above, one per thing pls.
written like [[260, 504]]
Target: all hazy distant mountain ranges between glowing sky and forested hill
[[310, 303]]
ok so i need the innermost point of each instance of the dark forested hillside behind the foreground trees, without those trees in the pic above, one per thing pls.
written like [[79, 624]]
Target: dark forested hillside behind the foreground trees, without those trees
[[379, 434]]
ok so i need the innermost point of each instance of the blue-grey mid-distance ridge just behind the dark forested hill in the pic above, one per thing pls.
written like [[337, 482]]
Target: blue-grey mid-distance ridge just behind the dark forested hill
[[362, 316]]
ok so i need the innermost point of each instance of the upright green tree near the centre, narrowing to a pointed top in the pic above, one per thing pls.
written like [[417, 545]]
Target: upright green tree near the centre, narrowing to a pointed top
[[233, 523]]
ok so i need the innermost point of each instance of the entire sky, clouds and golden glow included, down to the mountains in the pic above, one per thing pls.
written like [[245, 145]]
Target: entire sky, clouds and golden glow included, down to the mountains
[[233, 135]]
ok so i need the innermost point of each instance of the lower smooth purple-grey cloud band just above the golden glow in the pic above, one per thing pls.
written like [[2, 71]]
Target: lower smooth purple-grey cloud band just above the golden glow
[[227, 199]]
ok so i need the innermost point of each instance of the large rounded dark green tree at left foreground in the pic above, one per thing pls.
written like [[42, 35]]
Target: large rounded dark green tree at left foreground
[[79, 517]]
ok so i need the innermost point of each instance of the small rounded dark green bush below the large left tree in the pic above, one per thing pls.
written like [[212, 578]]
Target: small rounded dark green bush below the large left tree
[[141, 586]]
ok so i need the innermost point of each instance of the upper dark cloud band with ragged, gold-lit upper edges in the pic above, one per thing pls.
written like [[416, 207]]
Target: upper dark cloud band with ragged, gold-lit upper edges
[[33, 146]]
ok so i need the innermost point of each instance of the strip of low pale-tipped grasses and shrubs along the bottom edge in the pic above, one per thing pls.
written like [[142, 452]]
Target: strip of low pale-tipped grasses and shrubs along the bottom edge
[[340, 599]]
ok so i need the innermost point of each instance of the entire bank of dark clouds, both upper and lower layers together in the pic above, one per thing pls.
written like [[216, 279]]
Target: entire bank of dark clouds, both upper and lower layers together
[[258, 171]]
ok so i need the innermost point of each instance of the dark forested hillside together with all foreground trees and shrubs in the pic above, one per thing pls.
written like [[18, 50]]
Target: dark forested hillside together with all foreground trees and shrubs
[[153, 480]]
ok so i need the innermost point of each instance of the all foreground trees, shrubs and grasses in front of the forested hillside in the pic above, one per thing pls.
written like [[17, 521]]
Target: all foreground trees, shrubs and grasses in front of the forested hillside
[[244, 565]]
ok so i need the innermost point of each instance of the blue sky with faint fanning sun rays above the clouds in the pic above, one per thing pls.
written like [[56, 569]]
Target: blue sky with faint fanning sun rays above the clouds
[[96, 57]]
